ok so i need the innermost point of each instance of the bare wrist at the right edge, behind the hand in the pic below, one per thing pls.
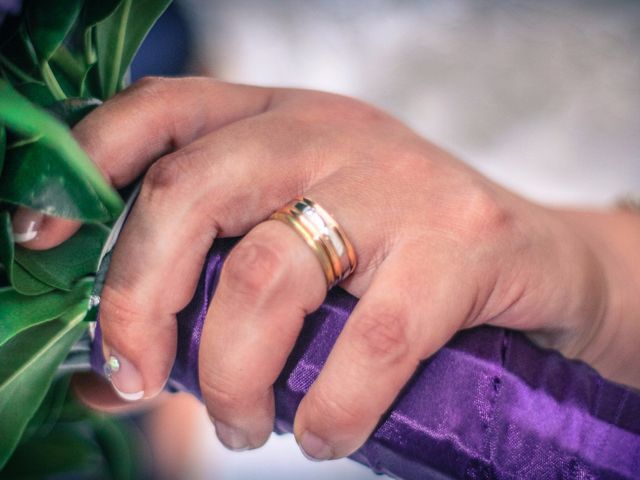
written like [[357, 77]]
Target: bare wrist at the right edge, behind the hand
[[610, 335]]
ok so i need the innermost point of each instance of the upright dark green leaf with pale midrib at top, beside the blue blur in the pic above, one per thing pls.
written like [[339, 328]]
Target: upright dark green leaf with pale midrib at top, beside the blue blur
[[120, 36]]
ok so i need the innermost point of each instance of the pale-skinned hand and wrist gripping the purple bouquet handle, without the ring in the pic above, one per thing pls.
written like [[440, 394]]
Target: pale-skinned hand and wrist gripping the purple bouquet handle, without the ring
[[440, 248]]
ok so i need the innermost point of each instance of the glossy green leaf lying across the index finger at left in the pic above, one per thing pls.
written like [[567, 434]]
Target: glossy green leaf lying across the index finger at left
[[59, 178]]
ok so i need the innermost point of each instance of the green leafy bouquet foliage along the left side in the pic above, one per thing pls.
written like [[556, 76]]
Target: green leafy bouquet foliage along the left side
[[58, 61]]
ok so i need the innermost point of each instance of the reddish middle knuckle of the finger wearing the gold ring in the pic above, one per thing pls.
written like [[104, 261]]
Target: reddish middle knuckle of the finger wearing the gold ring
[[254, 267]]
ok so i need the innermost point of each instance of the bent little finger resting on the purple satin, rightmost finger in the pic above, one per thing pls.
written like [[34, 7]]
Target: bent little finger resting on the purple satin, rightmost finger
[[402, 319]]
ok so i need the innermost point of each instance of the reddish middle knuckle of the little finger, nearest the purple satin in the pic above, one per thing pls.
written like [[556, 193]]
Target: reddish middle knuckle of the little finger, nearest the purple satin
[[382, 334]]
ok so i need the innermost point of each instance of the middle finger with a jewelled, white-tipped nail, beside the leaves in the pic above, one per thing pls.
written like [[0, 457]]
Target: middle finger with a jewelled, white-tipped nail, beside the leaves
[[187, 199]]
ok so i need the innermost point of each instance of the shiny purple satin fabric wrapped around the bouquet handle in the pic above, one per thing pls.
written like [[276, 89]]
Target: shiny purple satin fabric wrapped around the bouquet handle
[[489, 404]]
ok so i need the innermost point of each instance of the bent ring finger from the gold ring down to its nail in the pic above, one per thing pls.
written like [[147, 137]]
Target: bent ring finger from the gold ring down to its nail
[[269, 282]]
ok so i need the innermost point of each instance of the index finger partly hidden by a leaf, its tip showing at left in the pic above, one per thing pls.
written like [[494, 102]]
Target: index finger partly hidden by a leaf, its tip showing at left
[[129, 132]]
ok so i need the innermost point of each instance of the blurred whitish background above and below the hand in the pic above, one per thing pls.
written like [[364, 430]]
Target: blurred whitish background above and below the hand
[[543, 97]]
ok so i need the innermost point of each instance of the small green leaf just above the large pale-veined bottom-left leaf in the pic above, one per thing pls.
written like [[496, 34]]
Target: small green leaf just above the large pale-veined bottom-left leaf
[[19, 312]]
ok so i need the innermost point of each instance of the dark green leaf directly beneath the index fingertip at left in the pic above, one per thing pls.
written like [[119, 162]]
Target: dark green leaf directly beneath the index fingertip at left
[[63, 265]]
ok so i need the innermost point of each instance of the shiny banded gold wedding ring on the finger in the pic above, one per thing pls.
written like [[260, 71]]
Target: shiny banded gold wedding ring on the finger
[[323, 235]]
